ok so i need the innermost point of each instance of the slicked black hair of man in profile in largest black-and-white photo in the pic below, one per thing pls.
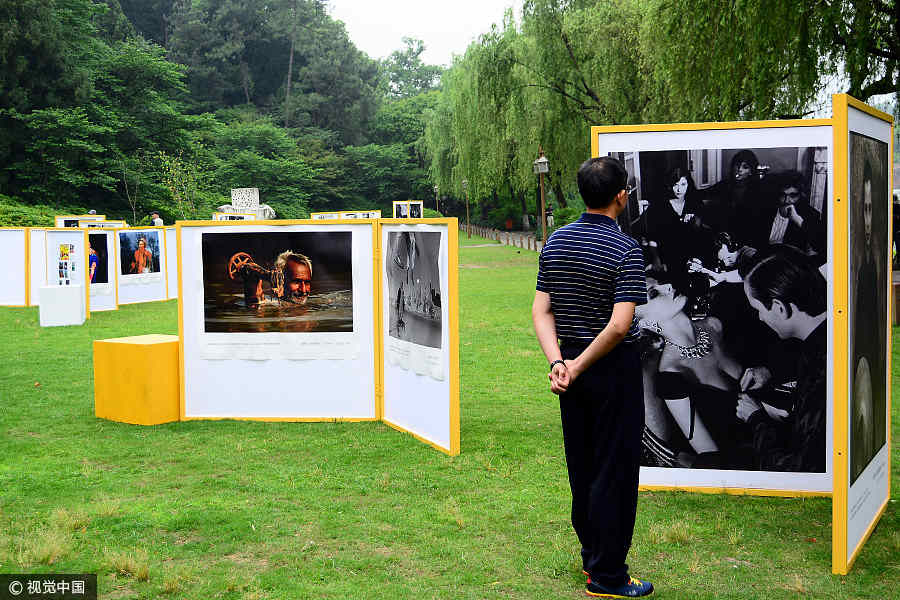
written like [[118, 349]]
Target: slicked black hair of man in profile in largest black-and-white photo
[[791, 277]]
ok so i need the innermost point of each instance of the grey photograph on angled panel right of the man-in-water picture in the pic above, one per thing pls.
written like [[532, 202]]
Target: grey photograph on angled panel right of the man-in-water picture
[[414, 287]]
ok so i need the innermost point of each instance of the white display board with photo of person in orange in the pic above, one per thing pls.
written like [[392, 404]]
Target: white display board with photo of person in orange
[[141, 264]]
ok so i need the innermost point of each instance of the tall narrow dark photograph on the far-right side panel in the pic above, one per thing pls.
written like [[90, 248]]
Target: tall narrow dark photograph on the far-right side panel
[[868, 274]]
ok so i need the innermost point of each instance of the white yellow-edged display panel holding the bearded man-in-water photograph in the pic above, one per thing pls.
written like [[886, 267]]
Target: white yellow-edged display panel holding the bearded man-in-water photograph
[[276, 388]]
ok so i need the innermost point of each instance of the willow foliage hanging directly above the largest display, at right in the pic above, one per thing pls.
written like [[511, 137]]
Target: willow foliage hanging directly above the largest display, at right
[[754, 59]]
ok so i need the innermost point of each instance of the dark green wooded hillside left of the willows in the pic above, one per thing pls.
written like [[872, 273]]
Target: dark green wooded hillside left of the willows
[[127, 107]]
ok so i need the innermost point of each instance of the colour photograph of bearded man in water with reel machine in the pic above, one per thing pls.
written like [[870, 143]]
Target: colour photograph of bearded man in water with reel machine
[[277, 282]]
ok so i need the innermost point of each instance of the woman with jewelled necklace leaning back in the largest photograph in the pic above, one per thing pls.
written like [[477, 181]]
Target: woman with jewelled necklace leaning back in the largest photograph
[[689, 377]]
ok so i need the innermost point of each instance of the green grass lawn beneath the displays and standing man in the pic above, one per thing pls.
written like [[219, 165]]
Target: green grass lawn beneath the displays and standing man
[[357, 510]]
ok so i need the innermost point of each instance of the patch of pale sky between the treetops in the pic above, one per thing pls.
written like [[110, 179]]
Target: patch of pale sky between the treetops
[[377, 28]]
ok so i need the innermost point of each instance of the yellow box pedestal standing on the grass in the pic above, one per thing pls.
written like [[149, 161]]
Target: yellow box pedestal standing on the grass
[[136, 379]]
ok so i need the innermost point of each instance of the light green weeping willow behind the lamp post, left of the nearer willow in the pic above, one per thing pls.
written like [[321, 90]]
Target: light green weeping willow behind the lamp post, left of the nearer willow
[[568, 66]]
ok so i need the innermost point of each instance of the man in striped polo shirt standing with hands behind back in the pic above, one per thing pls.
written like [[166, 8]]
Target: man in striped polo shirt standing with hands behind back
[[590, 278]]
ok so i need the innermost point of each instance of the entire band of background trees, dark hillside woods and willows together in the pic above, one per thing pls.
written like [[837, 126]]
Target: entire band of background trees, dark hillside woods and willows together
[[128, 106]]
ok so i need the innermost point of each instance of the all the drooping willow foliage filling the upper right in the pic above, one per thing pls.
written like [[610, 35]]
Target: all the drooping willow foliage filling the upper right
[[566, 65]]
